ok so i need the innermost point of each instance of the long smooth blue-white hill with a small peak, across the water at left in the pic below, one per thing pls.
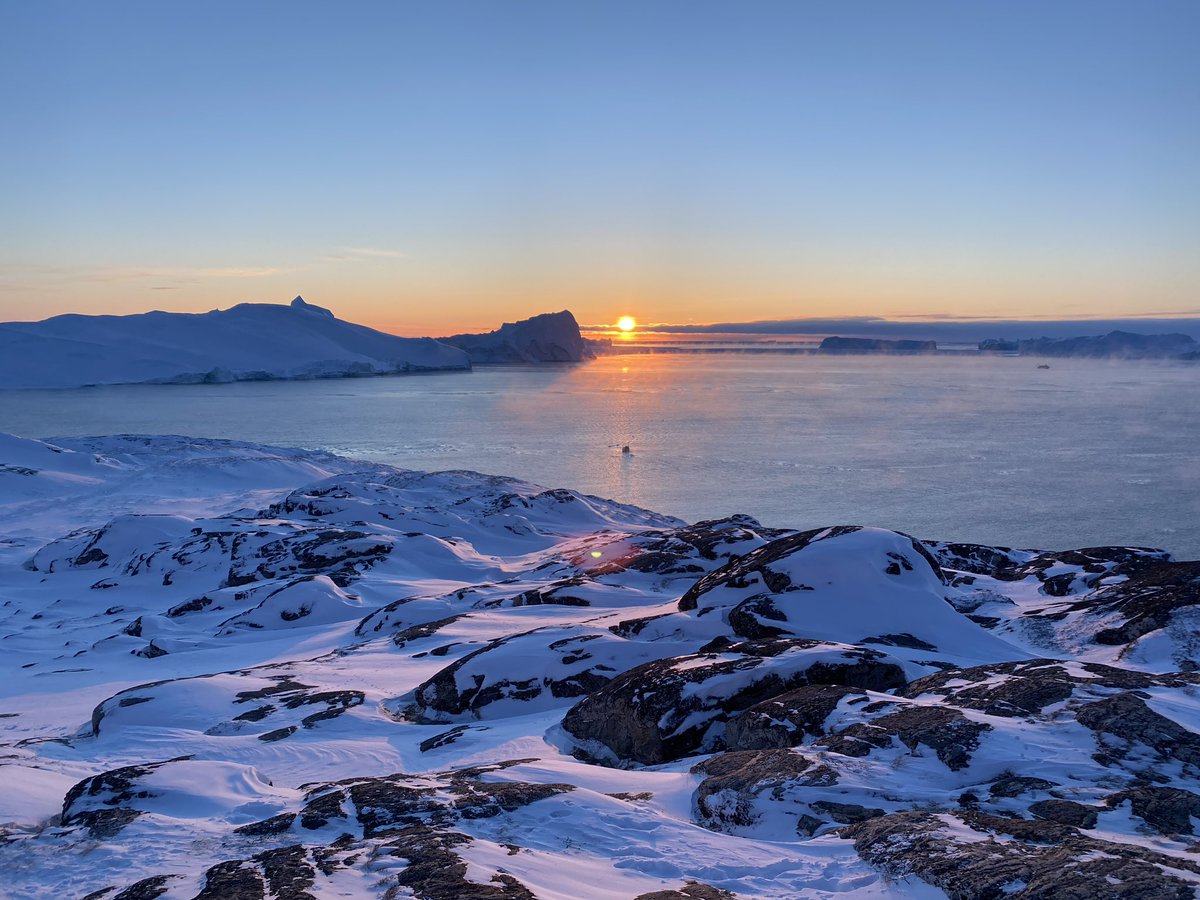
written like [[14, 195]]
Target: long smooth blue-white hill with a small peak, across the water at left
[[248, 343]]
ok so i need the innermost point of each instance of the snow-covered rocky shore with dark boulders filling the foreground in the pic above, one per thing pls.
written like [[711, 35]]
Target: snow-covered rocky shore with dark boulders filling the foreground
[[230, 670]]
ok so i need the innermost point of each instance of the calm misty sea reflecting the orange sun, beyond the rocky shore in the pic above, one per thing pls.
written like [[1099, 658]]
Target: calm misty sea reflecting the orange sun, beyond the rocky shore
[[991, 451]]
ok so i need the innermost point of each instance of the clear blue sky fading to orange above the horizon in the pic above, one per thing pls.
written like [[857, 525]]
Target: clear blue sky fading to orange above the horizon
[[431, 169]]
